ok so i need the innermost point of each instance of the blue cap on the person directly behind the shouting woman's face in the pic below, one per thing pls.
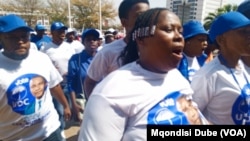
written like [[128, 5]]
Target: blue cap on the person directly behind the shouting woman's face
[[193, 28]]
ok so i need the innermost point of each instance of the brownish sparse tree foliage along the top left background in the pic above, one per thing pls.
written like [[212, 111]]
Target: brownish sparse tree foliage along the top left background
[[84, 13]]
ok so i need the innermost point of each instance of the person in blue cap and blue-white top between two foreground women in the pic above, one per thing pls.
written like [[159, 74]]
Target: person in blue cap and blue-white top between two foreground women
[[195, 37]]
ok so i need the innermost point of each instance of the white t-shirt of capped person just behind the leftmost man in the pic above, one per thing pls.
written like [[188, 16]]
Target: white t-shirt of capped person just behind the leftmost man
[[59, 55]]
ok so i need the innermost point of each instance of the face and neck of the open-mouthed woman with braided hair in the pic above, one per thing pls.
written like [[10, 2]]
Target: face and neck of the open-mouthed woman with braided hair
[[163, 51]]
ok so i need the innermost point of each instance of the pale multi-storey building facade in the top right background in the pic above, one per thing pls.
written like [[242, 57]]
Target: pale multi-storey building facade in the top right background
[[194, 9]]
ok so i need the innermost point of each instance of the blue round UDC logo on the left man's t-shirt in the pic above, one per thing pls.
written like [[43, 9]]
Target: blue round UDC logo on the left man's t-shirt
[[20, 96]]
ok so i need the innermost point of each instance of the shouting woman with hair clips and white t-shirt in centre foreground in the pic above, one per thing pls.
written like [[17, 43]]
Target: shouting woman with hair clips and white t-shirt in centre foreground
[[145, 90]]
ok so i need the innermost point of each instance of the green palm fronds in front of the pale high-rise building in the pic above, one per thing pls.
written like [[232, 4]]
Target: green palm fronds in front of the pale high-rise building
[[211, 16]]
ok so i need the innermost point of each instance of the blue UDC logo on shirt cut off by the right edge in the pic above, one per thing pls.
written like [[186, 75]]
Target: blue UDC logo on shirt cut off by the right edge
[[241, 107]]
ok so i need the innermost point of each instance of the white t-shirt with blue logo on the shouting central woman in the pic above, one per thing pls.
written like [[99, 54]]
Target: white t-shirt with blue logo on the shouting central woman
[[128, 99]]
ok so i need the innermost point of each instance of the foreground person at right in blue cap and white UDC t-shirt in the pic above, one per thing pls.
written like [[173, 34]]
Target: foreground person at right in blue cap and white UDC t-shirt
[[221, 87]]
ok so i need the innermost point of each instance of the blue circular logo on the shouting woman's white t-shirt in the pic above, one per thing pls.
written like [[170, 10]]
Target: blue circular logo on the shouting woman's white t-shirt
[[166, 111]]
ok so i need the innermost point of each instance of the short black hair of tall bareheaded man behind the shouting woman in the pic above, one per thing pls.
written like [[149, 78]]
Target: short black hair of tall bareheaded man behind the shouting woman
[[126, 5]]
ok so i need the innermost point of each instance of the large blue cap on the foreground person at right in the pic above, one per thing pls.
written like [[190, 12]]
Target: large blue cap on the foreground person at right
[[226, 22]]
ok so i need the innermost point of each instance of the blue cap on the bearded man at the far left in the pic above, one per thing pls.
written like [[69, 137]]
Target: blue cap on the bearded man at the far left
[[12, 22]]
